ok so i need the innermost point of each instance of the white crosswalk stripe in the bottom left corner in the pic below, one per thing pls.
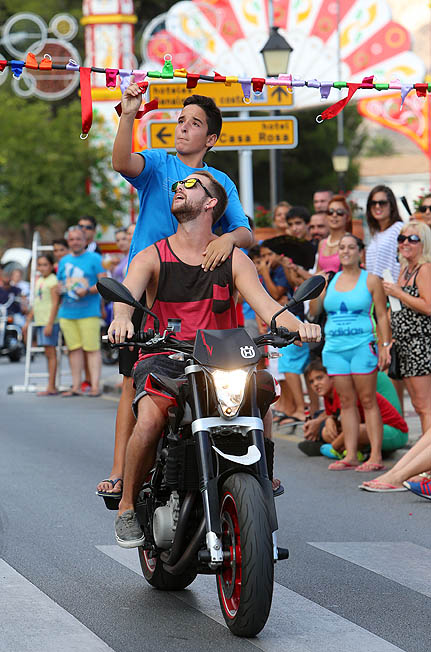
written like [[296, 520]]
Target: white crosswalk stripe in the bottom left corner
[[31, 621]]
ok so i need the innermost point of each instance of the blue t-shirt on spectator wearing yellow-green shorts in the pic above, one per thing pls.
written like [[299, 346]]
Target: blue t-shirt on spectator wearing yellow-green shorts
[[79, 272]]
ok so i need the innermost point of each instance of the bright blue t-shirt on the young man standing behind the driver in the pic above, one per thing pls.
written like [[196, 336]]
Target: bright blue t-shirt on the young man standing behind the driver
[[155, 220]]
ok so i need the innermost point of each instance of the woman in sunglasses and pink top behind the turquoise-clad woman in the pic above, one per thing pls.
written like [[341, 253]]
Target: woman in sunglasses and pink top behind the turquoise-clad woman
[[339, 219]]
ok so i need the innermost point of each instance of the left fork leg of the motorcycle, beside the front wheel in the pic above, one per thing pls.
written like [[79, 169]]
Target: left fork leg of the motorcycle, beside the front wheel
[[208, 481]]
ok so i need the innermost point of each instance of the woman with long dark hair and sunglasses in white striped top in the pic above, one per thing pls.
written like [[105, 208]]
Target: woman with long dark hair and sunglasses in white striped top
[[385, 223]]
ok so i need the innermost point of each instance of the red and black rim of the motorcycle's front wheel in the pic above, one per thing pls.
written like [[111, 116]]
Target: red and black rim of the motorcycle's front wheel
[[229, 578]]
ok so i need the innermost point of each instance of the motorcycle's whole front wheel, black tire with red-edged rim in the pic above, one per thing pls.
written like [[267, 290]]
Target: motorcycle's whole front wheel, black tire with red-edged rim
[[245, 584]]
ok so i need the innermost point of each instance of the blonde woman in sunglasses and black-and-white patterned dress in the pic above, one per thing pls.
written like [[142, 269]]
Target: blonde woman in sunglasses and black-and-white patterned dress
[[411, 326]]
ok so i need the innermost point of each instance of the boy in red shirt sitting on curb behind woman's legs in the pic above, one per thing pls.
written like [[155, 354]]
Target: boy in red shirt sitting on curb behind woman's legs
[[323, 433]]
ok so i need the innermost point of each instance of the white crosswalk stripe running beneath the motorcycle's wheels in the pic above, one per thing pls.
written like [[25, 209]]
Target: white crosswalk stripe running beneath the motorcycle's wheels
[[296, 624]]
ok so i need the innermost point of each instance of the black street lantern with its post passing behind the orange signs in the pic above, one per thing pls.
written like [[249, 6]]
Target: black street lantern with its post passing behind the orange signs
[[276, 53]]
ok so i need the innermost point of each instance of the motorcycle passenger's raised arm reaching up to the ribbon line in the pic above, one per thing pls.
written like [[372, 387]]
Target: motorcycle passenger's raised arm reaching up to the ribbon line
[[123, 160]]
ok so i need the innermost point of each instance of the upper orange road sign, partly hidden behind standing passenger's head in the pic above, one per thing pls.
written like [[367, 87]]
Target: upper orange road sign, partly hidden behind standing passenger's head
[[228, 98]]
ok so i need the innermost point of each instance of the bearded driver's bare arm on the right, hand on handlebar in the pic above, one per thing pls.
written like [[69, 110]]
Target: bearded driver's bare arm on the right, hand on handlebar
[[248, 284]]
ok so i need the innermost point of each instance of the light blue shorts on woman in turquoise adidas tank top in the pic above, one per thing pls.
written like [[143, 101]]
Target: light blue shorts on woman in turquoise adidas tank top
[[362, 359]]
